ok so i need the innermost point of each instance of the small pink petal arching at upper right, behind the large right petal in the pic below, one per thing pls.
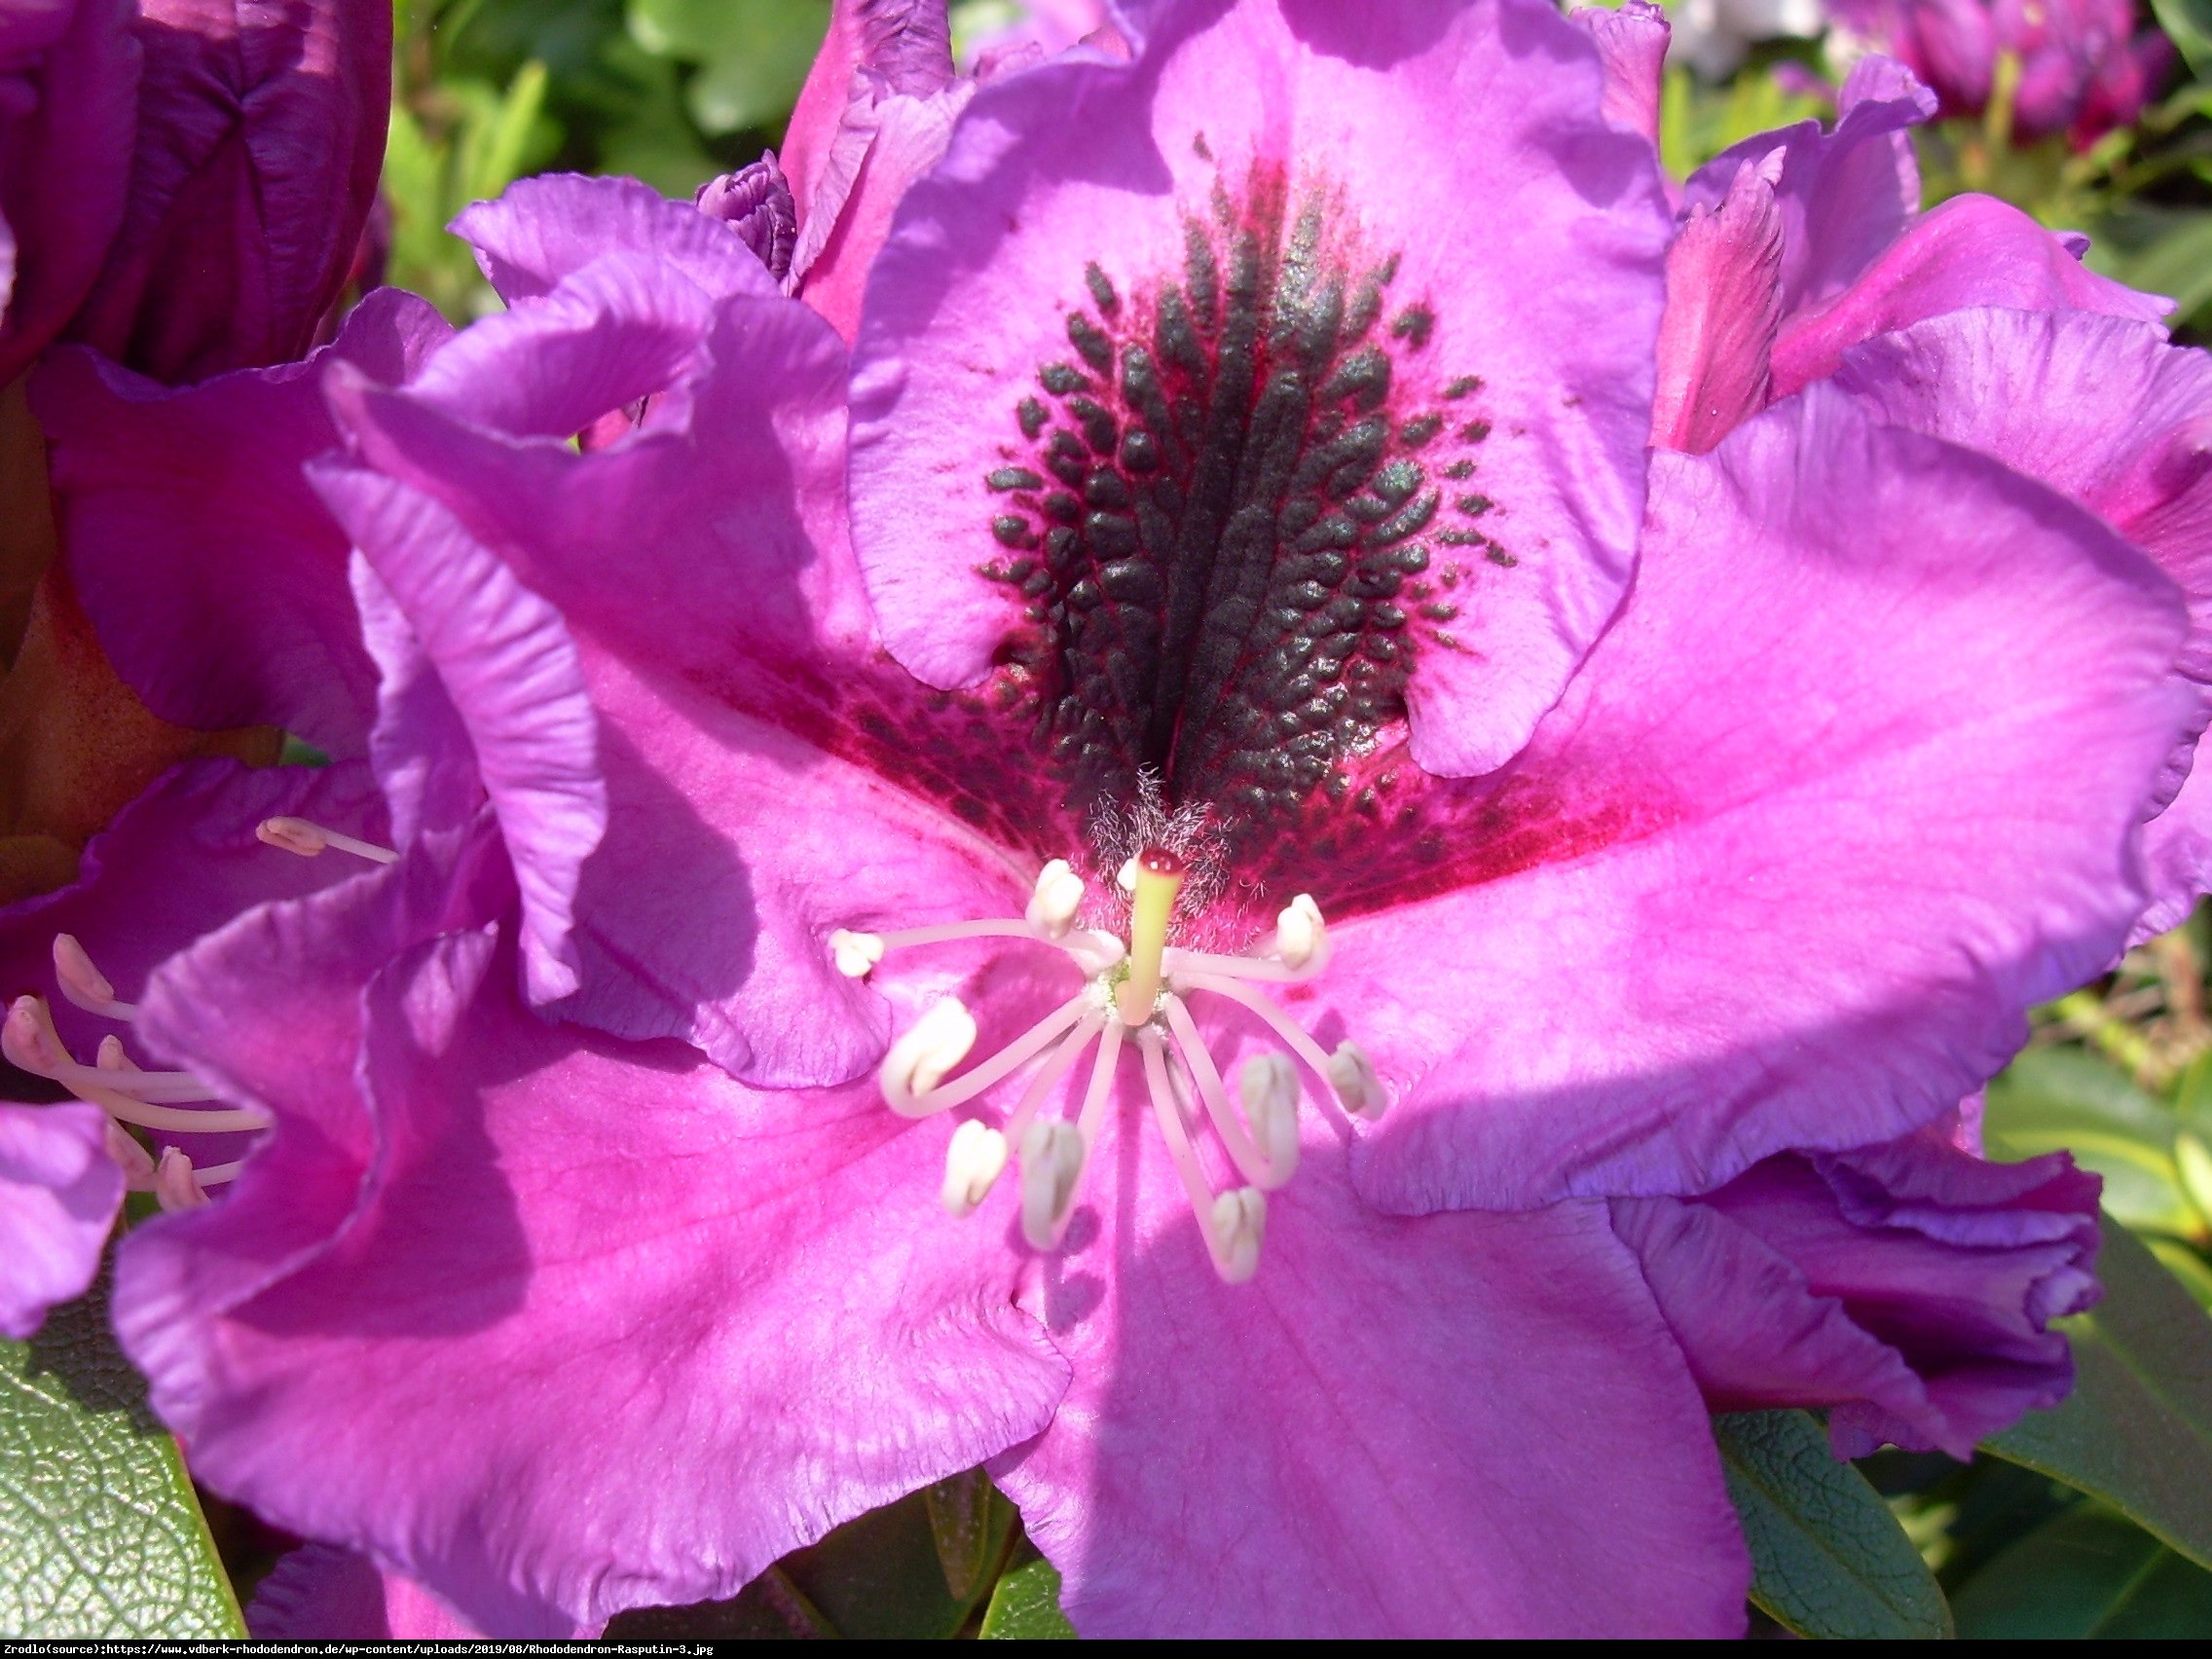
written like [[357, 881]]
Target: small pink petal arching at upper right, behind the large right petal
[[1970, 251]]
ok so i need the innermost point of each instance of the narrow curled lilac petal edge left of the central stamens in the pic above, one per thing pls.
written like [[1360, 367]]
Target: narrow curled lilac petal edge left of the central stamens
[[512, 674]]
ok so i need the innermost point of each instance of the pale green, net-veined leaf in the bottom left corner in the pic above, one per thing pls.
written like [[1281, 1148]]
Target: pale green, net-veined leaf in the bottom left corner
[[103, 1532]]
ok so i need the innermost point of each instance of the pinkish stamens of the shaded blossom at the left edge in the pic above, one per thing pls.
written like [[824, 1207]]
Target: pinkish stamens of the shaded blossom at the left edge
[[167, 1103]]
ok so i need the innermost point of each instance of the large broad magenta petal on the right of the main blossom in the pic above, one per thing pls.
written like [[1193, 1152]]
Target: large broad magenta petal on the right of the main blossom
[[1839, 797]]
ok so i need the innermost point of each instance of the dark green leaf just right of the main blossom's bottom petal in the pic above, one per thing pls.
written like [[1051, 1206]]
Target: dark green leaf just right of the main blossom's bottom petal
[[1828, 1558]]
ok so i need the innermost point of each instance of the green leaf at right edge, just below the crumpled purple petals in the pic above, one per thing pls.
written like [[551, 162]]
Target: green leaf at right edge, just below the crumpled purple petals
[[2138, 1428]]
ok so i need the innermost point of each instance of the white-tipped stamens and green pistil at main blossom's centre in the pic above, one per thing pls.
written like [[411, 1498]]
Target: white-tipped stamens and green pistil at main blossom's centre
[[1136, 994]]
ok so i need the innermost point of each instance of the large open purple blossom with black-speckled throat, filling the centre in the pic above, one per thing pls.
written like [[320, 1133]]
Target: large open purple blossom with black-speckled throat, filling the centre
[[1496, 833]]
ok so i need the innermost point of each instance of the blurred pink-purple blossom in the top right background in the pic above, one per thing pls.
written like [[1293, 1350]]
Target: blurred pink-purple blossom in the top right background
[[2085, 65]]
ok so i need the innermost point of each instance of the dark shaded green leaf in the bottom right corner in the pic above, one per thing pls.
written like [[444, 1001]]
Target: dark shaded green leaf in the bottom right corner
[[2087, 1574]]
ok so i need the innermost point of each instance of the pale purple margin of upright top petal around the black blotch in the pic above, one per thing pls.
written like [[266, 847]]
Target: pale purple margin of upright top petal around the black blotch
[[1534, 368]]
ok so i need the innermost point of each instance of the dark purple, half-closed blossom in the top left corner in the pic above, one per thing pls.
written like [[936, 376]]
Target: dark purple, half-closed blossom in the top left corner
[[229, 147]]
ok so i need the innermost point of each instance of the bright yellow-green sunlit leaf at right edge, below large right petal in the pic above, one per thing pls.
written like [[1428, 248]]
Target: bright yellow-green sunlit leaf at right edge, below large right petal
[[2056, 1100]]
